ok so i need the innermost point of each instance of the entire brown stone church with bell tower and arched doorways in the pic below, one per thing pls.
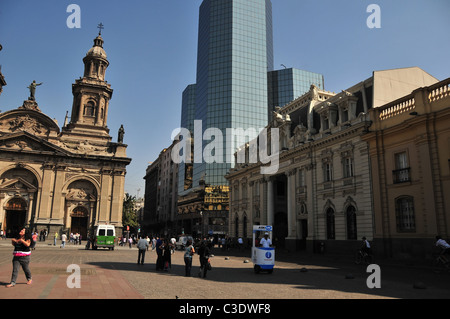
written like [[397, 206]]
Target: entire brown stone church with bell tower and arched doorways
[[67, 179]]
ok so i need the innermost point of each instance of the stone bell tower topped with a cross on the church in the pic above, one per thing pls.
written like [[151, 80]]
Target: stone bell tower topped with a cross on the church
[[91, 96]]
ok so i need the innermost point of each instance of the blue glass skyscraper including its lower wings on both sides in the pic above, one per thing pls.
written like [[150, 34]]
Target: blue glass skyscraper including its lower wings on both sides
[[236, 86]]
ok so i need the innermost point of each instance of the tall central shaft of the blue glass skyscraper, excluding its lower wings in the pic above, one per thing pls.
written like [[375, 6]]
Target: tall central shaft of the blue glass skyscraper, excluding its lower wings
[[235, 53]]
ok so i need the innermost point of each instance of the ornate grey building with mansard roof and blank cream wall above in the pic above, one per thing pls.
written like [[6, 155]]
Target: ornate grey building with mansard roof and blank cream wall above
[[321, 196]]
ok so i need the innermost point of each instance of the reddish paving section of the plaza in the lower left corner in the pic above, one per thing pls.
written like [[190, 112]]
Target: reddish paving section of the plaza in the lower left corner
[[50, 279]]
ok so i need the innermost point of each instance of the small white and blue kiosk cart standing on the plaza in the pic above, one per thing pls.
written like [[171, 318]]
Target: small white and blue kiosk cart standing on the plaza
[[263, 257]]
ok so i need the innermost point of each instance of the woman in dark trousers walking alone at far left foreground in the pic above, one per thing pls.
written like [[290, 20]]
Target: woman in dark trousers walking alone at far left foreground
[[21, 253]]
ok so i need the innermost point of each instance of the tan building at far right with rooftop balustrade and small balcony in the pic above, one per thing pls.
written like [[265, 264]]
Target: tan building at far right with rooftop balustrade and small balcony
[[409, 142]]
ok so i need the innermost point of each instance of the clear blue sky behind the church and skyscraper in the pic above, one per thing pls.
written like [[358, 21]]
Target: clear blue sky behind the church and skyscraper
[[152, 50]]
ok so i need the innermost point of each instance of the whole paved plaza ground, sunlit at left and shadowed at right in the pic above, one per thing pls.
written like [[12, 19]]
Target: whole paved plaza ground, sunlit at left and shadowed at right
[[115, 274]]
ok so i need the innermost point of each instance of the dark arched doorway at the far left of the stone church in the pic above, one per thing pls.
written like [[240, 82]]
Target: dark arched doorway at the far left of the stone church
[[15, 216]]
